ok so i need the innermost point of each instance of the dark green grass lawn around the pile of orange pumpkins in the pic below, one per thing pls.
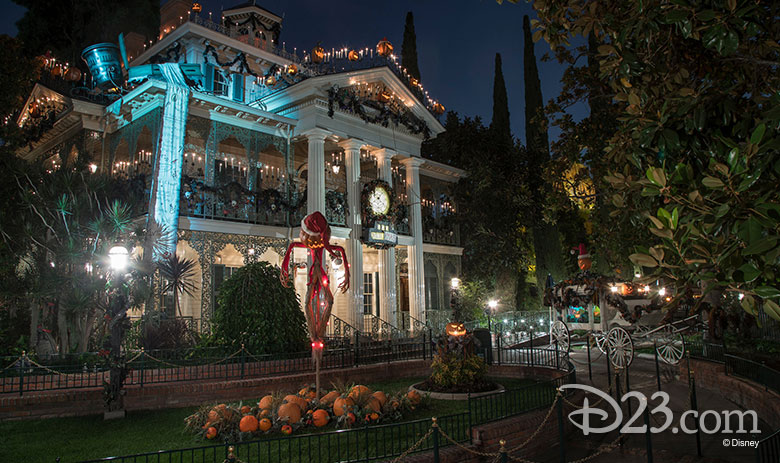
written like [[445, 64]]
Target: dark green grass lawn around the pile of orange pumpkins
[[83, 438]]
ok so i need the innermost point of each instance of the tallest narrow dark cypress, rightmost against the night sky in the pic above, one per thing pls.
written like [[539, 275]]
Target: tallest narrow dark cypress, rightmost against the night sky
[[547, 246]]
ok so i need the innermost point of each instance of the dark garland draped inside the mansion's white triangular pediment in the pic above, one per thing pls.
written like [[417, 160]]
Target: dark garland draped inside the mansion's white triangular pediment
[[348, 100]]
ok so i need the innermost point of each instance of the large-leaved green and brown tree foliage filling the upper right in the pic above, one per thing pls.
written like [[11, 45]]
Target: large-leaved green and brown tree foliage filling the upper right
[[693, 158]]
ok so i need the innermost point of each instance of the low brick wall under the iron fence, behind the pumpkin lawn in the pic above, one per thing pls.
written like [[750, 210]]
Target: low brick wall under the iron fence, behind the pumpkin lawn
[[50, 404]]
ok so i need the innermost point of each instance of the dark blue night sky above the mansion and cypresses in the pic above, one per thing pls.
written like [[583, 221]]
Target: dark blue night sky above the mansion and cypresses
[[456, 43]]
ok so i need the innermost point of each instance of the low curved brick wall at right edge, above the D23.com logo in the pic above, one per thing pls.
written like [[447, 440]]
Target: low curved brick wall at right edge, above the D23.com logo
[[747, 394]]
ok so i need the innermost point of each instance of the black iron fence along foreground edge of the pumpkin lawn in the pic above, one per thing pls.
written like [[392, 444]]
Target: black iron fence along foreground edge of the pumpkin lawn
[[382, 442]]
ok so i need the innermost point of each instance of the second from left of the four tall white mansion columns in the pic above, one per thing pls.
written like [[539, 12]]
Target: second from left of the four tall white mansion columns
[[354, 245]]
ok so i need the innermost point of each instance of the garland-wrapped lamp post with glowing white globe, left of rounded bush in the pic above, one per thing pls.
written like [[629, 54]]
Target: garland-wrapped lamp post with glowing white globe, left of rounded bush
[[117, 314]]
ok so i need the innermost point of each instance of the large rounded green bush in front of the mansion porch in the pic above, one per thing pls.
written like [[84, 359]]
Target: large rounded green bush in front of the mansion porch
[[256, 310]]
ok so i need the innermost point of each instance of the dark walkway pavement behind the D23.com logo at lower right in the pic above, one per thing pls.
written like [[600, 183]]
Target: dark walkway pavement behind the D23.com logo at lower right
[[667, 446]]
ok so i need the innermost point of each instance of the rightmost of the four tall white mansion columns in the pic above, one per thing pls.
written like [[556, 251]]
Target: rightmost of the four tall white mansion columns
[[416, 264]]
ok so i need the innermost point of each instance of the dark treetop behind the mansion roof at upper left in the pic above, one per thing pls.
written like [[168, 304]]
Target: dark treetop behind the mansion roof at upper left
[[68, 26]]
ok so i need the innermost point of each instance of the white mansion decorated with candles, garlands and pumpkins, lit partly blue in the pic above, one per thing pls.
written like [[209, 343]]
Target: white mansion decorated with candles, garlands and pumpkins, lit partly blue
[[270, 135]]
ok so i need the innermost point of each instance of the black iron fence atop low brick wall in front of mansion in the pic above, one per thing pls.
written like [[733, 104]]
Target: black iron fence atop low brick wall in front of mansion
[[26, 373]]
